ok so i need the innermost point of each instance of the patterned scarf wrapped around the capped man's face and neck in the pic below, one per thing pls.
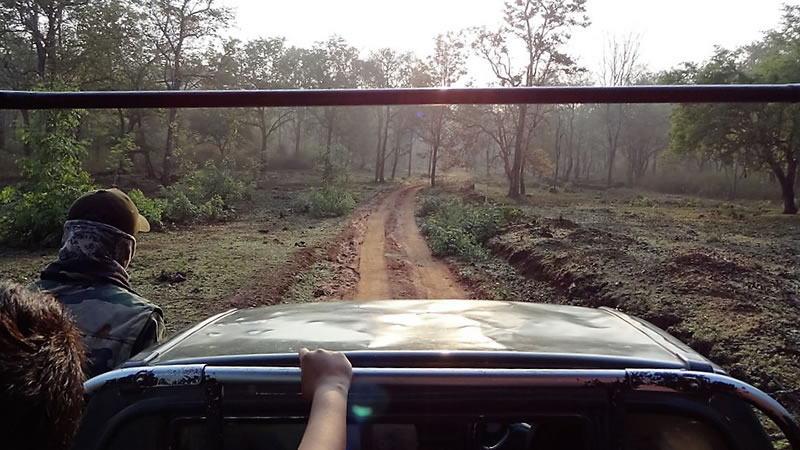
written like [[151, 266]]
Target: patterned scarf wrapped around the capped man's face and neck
[[92, 251]]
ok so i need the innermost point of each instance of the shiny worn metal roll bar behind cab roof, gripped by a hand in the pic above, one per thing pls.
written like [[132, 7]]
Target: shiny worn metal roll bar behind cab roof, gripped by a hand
[[662, 380]]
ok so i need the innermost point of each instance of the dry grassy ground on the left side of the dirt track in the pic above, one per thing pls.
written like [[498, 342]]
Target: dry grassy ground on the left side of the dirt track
[[195, 271]]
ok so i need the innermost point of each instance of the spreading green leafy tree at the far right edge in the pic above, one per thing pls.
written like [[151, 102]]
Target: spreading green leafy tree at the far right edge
[[753, 136]]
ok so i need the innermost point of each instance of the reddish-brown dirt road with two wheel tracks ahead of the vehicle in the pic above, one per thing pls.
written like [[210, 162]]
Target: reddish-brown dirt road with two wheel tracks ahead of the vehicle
[[395, 261]]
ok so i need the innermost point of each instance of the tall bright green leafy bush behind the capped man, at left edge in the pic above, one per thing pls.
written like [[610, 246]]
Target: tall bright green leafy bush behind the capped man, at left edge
[[34, 211]]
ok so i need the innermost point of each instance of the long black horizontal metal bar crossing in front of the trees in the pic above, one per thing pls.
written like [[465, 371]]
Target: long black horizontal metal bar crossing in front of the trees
[[785, 93]]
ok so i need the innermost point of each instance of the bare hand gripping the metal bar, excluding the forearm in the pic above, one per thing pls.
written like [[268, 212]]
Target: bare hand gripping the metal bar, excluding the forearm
[[322, 370]]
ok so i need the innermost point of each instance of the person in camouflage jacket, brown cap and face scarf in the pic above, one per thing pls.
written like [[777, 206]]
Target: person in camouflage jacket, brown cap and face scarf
[[91, 280]]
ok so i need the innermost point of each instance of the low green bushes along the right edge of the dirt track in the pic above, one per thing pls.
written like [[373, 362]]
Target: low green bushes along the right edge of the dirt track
[[455, 228]]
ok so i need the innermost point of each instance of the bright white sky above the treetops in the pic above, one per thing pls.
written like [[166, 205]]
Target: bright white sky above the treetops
[[670, 32]]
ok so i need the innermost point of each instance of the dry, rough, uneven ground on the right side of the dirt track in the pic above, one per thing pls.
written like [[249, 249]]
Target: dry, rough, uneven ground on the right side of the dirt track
[[720, 276]]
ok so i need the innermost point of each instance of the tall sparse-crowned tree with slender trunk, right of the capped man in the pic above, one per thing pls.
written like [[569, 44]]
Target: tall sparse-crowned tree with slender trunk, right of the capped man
[[179, 28]]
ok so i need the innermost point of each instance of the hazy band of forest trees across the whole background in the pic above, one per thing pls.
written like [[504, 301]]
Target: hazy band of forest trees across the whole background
[[724, 151]]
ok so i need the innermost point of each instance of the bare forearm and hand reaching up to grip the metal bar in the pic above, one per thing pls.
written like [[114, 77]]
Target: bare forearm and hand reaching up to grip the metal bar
[[325, 381]]
